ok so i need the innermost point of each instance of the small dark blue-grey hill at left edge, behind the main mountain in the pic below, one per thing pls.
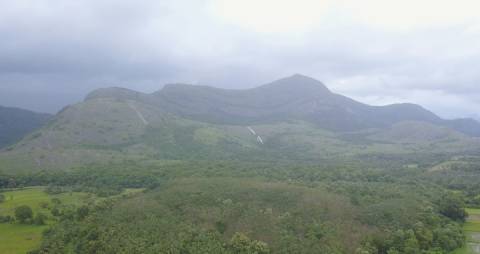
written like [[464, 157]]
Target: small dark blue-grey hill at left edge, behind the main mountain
[[16, 123]]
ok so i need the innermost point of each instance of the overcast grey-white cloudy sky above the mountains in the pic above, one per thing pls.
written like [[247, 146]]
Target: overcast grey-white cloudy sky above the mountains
[[53, 52]]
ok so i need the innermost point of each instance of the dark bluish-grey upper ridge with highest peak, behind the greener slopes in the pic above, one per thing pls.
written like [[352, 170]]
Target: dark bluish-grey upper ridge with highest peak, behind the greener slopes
[[295, 97]]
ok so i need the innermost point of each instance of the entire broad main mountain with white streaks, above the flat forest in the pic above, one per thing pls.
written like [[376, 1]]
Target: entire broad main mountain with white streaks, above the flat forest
[[295, 118]]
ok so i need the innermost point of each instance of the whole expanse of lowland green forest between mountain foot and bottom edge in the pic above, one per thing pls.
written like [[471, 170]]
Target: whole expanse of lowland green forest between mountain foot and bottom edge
[[201, 205]]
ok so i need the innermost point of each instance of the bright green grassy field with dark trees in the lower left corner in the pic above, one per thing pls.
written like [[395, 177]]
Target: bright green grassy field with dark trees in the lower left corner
[[16, 238]]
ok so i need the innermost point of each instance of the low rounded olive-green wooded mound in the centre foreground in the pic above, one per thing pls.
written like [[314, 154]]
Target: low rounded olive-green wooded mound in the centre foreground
[[185, 215]]
